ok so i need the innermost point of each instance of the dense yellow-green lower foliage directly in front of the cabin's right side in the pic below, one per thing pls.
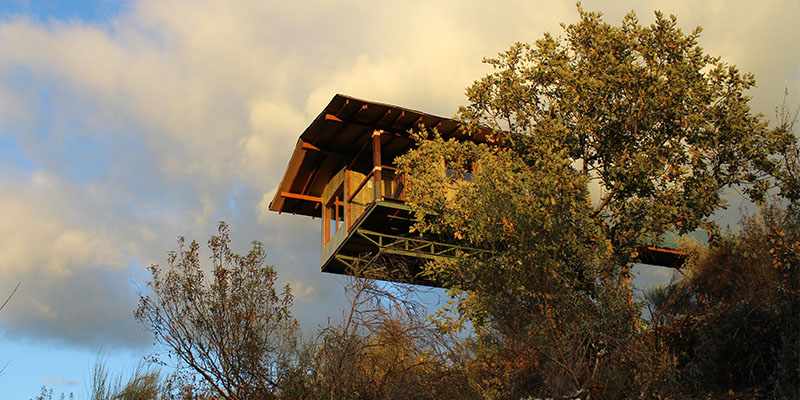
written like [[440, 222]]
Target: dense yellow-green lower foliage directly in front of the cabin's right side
[[544, 295]]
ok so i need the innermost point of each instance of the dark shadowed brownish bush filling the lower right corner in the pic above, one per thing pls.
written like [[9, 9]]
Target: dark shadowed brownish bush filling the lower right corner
[[732, 325]]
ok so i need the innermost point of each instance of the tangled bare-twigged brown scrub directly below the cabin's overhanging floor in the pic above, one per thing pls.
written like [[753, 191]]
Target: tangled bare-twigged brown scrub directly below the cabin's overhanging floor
[[386, 348]]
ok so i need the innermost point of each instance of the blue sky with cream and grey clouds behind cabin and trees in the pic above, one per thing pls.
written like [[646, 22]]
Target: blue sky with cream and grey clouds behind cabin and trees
[[126, 123]]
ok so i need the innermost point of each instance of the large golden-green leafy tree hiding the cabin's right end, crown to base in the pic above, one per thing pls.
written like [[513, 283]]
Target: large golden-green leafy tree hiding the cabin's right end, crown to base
[[602, 141]]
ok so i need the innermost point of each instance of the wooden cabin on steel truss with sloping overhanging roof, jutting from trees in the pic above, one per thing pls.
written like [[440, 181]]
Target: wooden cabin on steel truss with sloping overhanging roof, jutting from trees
[[342, 172]]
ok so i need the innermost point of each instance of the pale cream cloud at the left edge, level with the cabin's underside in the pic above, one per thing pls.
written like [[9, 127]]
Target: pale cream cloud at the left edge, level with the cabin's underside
[[42, 228]]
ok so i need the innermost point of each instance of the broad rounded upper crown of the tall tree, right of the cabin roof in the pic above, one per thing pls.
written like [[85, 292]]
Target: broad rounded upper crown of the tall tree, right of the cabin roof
[[657, 125]]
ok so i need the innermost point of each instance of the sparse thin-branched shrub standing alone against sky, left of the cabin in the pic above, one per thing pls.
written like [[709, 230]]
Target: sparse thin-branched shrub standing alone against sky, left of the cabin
[[234, 331]]
